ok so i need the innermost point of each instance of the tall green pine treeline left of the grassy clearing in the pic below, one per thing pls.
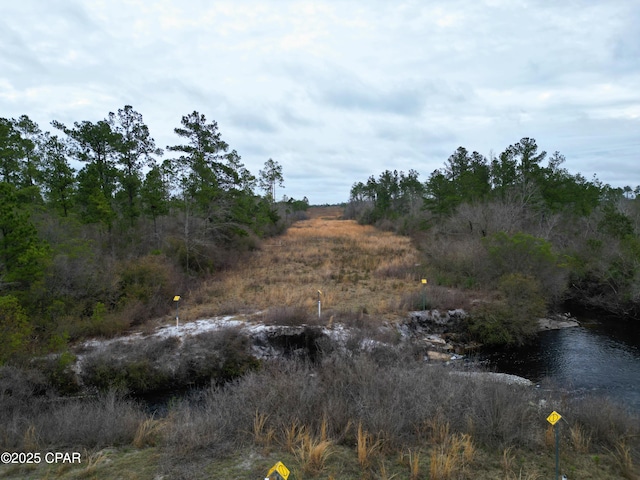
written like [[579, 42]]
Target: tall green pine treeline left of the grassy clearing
[[93, 250]]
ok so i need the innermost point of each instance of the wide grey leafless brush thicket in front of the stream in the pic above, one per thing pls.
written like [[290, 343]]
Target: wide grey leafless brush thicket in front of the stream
[[399, 402]]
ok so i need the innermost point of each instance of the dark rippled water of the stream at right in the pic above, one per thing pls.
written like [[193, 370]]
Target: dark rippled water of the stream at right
[[598, 358]]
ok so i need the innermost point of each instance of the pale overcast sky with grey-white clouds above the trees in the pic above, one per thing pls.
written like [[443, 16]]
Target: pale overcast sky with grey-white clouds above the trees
[[338, 90]]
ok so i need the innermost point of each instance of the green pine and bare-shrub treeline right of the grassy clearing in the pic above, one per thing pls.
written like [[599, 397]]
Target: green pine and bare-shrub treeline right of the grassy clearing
[[518, 223]]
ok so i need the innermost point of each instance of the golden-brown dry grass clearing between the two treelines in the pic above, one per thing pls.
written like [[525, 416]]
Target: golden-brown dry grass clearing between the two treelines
[[357, 268]]
